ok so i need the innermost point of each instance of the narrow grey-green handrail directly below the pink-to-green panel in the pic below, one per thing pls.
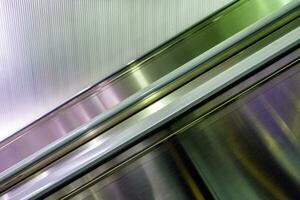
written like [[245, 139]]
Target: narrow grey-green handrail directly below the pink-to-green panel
[[135, 98]]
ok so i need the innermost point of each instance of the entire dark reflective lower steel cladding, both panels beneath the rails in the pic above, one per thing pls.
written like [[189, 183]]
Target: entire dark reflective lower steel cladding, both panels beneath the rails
[[235, 158]]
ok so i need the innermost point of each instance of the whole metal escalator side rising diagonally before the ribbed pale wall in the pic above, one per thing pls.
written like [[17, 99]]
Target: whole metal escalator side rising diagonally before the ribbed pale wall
[[211, 114]]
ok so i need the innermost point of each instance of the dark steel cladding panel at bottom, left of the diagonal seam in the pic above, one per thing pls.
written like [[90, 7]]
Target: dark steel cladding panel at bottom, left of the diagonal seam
[[161, 174]]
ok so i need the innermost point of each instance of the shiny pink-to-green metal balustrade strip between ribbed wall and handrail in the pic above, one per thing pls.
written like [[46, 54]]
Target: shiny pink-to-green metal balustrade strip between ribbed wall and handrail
[[109, 94]]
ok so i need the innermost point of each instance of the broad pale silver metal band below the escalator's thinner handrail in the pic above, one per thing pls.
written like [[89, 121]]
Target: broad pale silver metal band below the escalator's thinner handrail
[[108, 143]]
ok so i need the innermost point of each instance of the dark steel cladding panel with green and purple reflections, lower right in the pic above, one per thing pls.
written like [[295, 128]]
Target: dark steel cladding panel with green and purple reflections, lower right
[[251, 149]]
